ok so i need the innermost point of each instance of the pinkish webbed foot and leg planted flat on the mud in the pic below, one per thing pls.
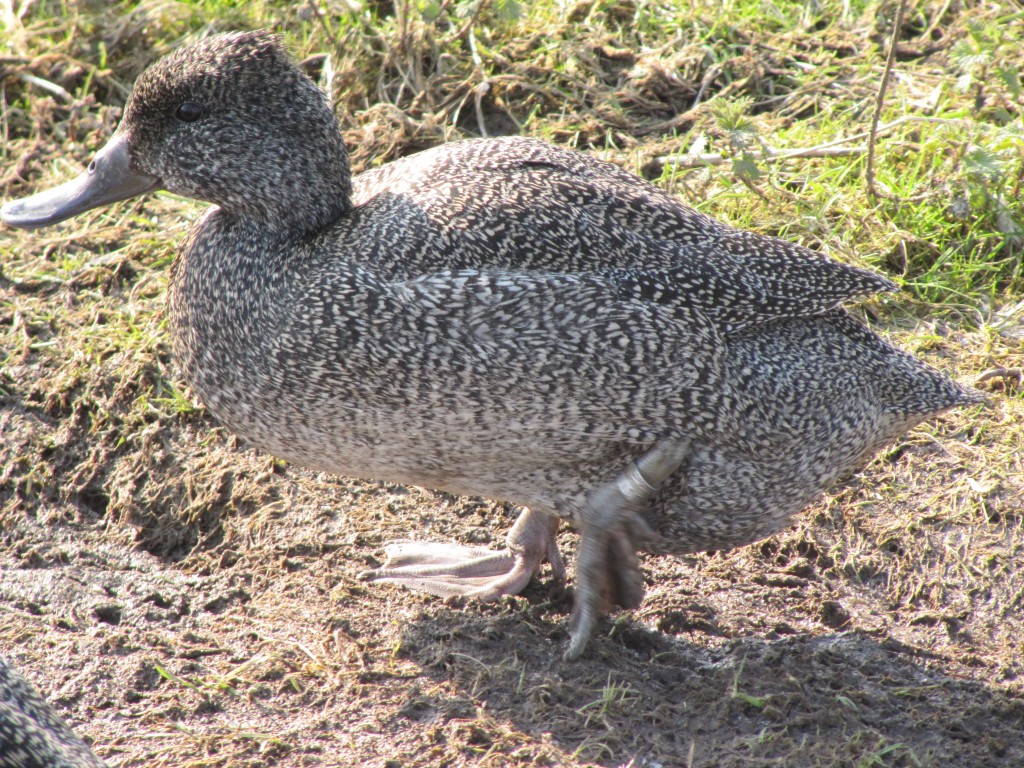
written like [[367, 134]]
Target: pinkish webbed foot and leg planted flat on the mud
[[451, 570]]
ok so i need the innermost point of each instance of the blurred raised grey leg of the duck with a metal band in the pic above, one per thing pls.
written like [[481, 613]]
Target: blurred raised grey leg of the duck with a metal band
[[612, 529]]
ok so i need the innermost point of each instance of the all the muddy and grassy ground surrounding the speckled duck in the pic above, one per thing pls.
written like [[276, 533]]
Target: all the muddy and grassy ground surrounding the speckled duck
[[185, 601]]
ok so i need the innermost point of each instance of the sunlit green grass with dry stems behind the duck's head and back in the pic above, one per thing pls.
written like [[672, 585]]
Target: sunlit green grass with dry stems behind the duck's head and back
[[603, 79]]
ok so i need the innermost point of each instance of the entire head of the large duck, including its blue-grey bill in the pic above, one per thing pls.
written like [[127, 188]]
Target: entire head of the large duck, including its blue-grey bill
[[231, 120]]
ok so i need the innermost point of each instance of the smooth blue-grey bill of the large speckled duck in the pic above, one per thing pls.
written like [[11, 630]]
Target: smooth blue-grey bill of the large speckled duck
[[108, 180]]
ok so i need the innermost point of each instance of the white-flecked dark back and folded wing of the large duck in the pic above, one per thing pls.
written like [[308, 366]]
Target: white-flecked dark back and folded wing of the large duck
[[521, 204]]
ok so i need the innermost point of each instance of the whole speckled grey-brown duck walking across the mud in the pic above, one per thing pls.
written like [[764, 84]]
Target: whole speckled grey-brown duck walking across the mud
[[500, 318]]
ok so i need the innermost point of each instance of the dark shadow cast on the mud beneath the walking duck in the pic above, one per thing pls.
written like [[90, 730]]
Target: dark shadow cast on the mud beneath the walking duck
[[639, 696]]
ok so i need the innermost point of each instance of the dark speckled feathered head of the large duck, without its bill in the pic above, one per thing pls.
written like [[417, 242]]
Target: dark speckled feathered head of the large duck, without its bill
[[215, 158]]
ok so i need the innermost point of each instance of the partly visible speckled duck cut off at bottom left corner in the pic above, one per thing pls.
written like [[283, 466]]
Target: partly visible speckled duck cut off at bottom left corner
[[32, 735]]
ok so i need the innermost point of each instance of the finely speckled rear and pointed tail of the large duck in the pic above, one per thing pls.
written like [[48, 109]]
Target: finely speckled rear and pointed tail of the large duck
[[800, 417]]
